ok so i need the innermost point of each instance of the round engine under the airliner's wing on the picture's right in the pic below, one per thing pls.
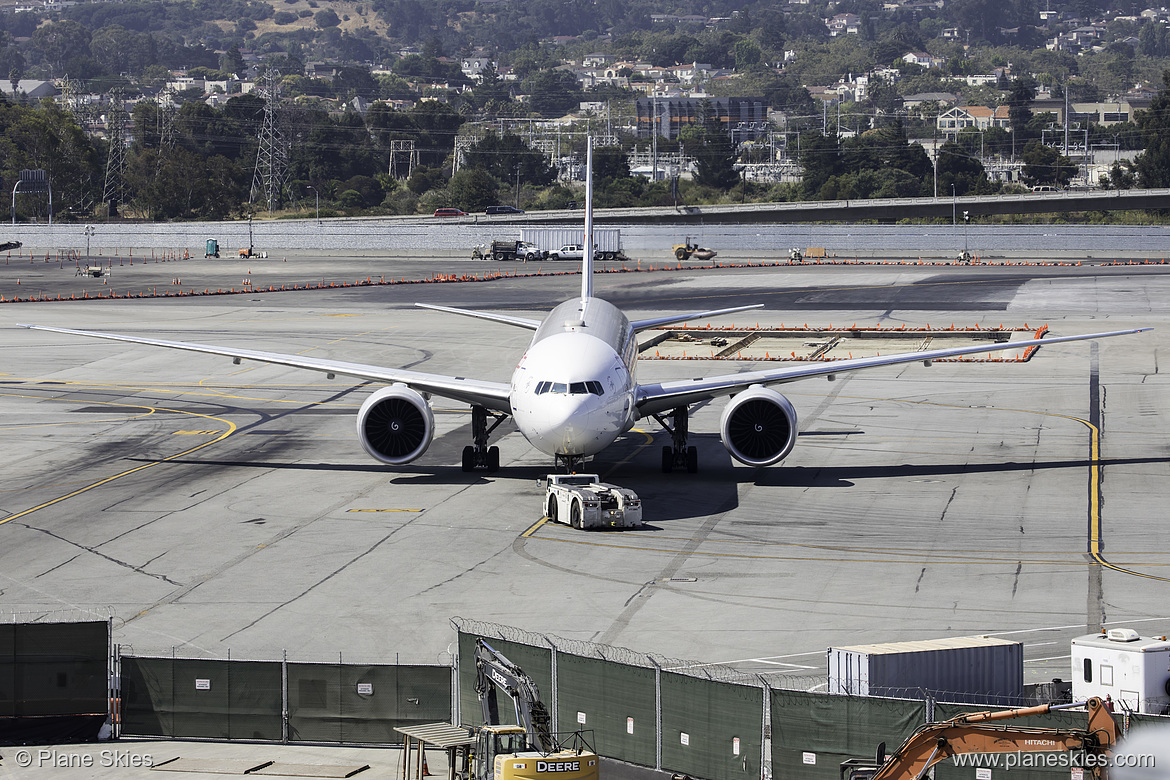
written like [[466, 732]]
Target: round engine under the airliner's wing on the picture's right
[[759, 427]]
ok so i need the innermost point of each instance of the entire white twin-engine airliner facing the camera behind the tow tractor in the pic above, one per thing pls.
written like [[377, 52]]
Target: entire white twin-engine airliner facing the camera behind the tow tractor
[[575, 390]]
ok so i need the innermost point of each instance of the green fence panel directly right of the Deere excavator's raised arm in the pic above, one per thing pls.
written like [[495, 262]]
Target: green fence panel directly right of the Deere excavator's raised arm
[[615, 701]]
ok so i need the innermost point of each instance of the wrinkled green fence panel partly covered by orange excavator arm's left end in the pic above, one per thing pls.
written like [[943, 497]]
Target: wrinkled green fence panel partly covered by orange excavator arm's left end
[[813, 734]]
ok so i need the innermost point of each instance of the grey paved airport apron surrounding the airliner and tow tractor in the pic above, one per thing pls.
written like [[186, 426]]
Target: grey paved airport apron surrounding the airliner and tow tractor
[[216, 509]]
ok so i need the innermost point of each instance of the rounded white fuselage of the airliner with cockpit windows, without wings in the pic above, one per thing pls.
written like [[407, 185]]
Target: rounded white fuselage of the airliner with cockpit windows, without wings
[[573, 394]]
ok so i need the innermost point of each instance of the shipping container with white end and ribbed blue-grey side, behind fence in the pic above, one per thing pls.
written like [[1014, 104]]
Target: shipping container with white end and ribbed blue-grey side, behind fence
[[969, 669]]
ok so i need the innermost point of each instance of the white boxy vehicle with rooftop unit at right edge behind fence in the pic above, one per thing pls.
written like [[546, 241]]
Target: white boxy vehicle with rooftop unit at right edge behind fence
[[1134, 672]]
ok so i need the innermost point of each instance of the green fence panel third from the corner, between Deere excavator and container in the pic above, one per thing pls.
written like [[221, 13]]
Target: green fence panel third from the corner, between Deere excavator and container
[[711, 729]]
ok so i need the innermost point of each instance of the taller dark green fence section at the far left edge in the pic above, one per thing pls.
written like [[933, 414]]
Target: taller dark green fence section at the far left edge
[[54, 669]]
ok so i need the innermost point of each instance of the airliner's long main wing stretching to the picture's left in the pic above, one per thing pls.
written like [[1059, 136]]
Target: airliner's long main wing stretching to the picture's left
[[493, 396]]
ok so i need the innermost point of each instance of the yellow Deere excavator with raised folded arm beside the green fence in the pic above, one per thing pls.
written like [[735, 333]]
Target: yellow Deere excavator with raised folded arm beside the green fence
[[528, 750]]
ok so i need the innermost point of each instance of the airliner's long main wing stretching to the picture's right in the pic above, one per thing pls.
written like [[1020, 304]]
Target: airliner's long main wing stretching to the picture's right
[[663, 397]]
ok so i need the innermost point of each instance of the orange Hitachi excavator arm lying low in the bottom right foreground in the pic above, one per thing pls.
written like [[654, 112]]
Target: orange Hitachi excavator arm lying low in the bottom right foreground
[[981, 733]]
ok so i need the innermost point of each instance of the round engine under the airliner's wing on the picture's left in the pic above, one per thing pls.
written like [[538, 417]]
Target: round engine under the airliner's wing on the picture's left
[[396, 425]]
